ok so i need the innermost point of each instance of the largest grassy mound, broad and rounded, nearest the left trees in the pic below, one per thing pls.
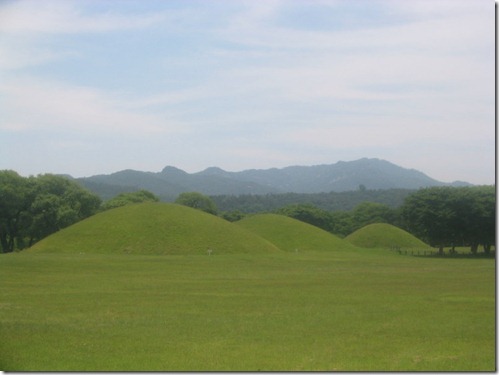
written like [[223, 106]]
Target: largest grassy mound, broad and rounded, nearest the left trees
[[154, 228]]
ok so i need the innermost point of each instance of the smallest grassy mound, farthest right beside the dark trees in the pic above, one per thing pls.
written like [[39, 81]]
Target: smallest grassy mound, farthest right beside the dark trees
[[384, 236]]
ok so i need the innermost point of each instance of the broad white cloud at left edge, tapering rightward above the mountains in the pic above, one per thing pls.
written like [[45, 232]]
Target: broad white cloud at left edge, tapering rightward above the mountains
[[33, 104]]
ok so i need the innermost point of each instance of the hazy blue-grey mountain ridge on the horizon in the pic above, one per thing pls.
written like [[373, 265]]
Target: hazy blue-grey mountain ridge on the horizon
[[338, 177]]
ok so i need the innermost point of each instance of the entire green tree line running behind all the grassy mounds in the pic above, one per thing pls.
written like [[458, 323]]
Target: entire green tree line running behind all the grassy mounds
[[32, 208]]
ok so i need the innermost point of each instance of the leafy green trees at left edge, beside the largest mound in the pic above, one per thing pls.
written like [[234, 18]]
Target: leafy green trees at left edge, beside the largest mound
[[32, 208]]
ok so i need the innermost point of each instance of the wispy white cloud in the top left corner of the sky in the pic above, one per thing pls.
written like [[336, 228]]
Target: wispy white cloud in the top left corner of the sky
[[27, 26]]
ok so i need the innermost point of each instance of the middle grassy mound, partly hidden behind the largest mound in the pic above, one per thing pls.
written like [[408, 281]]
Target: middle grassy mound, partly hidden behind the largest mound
[[292, 235]]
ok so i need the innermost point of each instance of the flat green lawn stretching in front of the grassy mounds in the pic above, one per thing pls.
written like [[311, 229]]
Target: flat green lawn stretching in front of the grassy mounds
[[359, 310]]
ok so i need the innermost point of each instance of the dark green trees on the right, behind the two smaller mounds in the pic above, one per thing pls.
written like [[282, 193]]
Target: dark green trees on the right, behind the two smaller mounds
[[440, 216]]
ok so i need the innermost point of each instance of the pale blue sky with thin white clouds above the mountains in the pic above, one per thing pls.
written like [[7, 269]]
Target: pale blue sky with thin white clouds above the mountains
[[96, 86]]
